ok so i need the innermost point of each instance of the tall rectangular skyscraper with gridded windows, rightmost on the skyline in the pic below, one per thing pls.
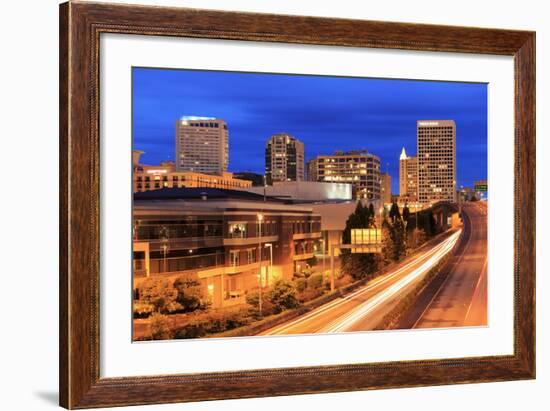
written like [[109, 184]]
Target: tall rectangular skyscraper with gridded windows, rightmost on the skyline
[[436, 148]]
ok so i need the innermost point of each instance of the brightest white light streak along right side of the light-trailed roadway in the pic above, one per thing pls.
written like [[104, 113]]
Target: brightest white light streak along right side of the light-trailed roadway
[[346, 322]]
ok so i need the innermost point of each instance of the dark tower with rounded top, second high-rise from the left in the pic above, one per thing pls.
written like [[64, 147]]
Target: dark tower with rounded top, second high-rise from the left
[[284, 159]]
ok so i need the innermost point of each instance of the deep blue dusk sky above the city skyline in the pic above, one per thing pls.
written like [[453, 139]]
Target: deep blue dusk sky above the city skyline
[[326, 113]]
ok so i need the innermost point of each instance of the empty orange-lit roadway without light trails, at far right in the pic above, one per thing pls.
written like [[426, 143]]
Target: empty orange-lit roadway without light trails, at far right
[[461, 300]]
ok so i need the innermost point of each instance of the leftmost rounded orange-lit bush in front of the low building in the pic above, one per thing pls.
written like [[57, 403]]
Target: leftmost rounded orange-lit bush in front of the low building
[[160, 293]]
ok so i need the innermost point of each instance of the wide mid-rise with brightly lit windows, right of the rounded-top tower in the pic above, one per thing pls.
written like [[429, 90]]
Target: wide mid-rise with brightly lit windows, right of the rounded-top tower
[[359, 168]]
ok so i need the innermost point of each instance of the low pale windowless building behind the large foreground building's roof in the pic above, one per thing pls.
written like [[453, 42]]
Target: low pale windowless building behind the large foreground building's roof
[[307, 191]]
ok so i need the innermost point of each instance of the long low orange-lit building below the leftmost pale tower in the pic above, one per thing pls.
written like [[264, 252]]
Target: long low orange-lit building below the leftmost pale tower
[[148, 177]]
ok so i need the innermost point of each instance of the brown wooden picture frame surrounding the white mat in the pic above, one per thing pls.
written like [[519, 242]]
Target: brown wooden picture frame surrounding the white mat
[[81, 25]]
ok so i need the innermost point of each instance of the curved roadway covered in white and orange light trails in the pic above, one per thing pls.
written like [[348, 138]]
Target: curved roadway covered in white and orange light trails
[[364, 308]]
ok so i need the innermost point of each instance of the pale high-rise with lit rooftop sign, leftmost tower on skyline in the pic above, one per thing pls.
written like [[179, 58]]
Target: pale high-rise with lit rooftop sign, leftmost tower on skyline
[[202, 145]]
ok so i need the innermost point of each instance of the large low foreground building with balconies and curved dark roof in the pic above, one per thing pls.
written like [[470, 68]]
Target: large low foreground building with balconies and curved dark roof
[[227, 239]]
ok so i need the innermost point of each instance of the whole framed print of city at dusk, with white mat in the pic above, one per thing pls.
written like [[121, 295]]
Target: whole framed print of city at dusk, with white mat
[[259, 205]]
